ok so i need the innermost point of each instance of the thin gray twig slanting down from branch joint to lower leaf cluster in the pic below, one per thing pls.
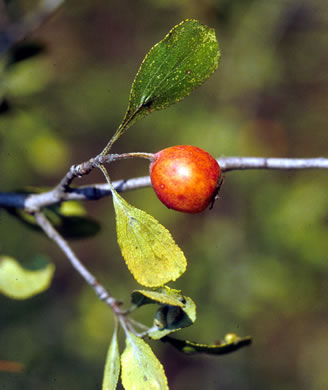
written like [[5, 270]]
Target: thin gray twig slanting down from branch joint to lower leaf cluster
[[99, 289]]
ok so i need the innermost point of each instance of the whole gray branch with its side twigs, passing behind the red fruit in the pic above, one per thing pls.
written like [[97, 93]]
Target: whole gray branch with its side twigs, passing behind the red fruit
[[33, 203]]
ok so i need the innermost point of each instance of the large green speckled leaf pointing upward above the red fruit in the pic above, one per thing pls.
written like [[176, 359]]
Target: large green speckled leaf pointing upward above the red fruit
[[182, 61]]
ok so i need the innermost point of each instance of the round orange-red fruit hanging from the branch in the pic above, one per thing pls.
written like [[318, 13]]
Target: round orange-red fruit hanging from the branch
[[185, 178]]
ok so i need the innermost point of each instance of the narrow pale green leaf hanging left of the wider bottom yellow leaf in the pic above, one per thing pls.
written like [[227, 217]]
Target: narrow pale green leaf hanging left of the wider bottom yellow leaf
[[112, 366]]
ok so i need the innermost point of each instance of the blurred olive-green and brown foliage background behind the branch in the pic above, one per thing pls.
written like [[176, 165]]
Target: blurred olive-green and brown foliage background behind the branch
[[258, 262]]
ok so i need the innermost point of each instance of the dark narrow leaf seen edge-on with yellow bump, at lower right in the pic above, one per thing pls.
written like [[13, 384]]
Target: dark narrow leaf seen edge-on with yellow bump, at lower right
[[231, 343]]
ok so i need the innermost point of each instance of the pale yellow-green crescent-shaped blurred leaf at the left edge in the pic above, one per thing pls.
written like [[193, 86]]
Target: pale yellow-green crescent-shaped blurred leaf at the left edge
[[19, 283]]
